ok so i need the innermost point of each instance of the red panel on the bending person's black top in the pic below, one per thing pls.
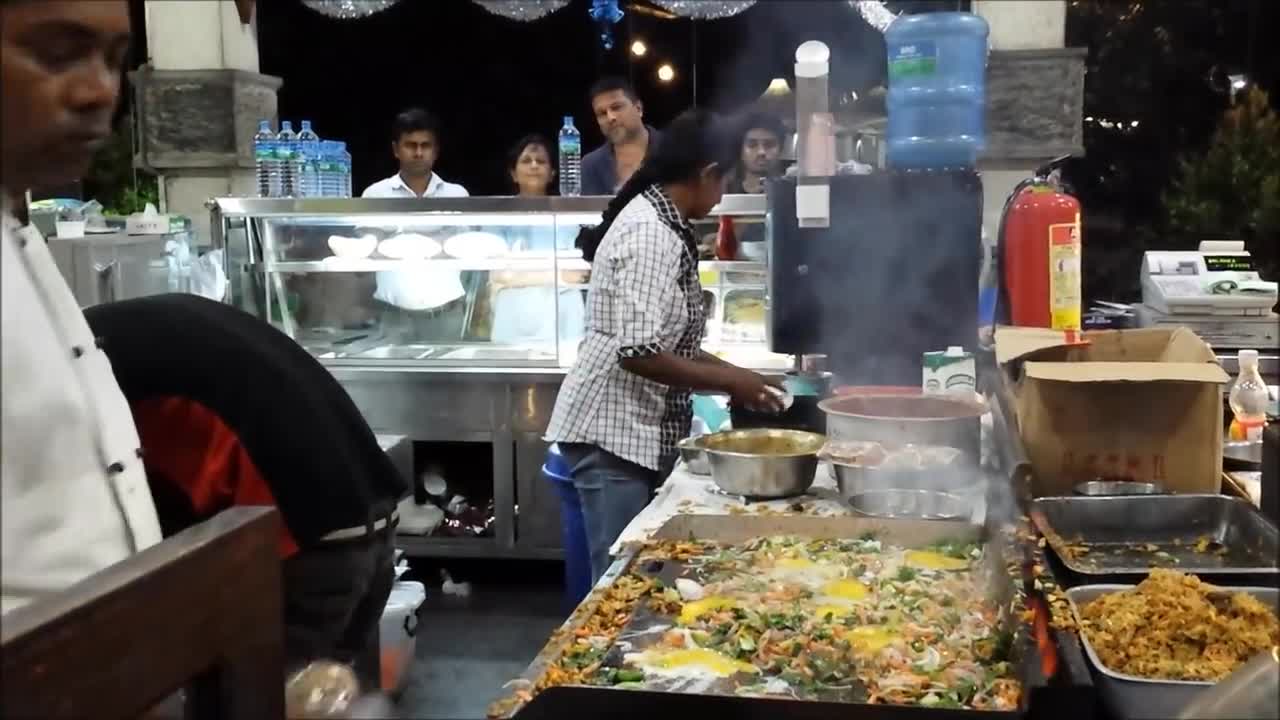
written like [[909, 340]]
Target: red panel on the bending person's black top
[[189, 445]]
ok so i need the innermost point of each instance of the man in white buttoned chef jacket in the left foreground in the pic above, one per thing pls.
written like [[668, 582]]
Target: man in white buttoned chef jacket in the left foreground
[[74, 491]]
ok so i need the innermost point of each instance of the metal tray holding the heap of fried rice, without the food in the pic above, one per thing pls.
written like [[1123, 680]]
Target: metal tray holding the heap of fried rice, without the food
[[1131, 696]]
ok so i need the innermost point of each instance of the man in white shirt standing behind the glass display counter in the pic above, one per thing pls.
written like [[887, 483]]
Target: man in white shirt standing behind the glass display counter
[[424, 304]]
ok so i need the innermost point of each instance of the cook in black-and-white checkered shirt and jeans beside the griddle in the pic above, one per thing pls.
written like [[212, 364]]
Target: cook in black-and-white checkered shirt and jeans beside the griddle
[[627, 402]]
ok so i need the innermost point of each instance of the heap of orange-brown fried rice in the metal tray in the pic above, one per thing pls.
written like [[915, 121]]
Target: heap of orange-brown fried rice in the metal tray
[[1173, 627]]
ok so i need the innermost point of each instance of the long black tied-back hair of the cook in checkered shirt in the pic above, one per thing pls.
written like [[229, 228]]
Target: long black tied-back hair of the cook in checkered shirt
[[692, 142]]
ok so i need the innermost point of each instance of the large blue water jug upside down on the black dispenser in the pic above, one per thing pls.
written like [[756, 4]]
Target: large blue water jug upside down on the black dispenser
[[938, 95]]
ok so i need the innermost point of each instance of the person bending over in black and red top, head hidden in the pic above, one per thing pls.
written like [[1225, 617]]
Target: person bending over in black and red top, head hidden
[[232, 412]]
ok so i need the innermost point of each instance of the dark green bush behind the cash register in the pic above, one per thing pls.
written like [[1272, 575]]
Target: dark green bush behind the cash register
[[1232, 192]]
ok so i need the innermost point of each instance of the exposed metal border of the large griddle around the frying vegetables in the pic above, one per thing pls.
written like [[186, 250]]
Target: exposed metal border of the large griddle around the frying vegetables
[[1069, 696]]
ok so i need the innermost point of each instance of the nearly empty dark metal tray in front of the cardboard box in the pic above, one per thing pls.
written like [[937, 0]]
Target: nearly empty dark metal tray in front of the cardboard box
[[1132, 535]]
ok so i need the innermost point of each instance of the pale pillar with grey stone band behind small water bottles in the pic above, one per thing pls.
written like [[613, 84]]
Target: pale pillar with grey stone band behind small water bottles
[[200, 99]]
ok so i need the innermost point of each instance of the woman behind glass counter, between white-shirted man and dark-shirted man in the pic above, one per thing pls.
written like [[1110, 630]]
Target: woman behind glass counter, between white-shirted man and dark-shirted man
[[525, 311]]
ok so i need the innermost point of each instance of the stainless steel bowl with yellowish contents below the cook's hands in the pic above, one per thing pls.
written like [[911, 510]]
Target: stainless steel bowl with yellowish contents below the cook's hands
[[764, 463]]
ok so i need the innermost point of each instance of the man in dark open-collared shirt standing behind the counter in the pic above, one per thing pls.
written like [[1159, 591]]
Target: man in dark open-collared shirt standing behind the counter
[[628, 140]]
